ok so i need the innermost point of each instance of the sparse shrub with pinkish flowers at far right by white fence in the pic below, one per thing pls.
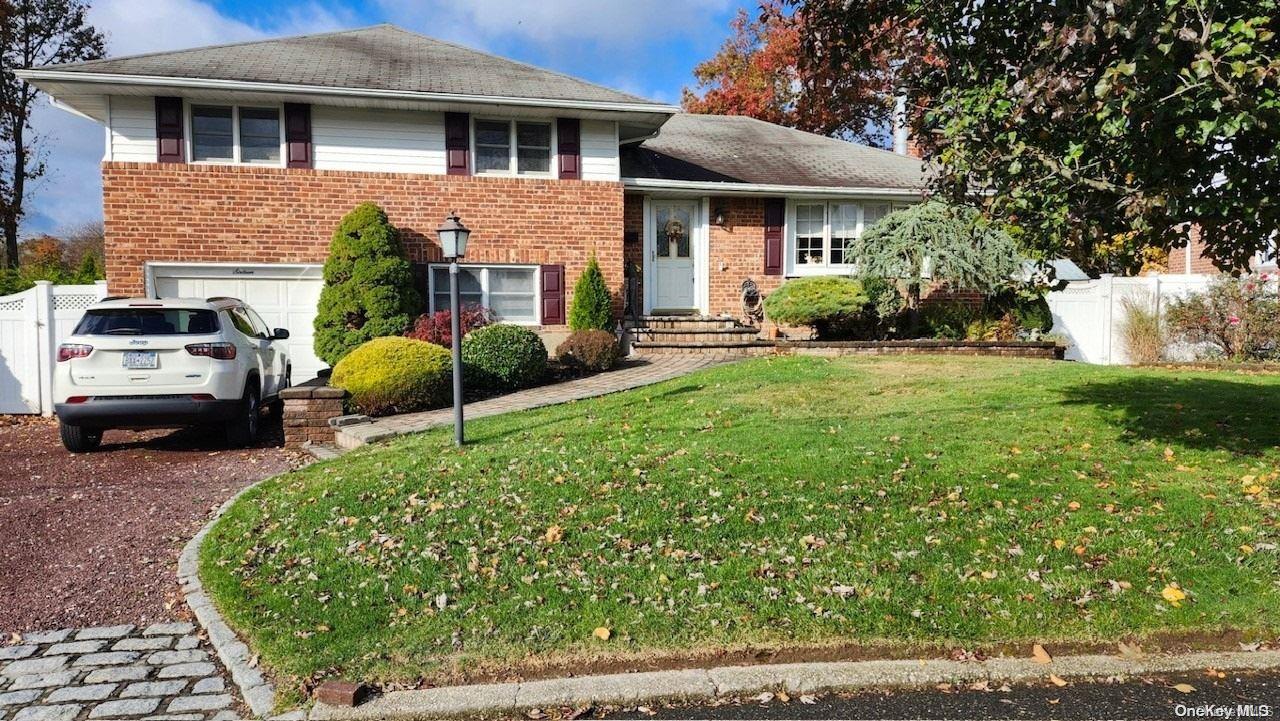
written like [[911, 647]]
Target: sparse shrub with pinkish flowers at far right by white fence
[[1238, 317]]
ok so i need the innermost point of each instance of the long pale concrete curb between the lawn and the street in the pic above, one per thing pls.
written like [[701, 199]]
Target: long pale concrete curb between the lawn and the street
[[708, 685]]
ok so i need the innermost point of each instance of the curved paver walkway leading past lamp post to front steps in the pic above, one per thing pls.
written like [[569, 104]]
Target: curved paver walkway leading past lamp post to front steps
[[633, 375]]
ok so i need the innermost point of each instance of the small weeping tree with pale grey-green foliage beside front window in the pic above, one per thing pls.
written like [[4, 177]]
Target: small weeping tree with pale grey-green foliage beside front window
[[936, 243]]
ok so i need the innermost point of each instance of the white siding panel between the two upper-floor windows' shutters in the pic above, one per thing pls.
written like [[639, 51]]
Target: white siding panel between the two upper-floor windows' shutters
[[388, 142]]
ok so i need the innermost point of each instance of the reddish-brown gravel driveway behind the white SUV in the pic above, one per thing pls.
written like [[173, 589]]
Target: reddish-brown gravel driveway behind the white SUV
[[93, 540]]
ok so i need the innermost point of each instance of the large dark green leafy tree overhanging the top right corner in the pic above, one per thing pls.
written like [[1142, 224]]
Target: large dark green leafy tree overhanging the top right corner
[[1091, 124]]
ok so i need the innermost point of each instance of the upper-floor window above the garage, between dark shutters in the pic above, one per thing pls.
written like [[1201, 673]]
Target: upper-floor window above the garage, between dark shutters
[[230, 134]]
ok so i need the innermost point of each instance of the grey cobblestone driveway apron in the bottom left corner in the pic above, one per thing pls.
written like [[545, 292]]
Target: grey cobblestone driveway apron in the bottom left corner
[[161, 673]]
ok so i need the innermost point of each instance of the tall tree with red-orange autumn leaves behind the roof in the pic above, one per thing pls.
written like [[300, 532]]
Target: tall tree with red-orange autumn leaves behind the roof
[[758, 72]]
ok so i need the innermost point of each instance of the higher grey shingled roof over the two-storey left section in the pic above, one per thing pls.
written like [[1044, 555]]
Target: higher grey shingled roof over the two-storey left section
[[381, 58]]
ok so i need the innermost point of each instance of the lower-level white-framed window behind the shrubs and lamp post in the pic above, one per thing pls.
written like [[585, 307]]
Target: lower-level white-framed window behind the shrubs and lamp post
[[509, 291]]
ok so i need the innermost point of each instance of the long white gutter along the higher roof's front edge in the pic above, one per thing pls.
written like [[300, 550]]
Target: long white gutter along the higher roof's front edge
[[35, 75]]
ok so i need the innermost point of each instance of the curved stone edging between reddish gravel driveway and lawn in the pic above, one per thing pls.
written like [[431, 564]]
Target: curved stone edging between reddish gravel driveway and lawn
[[255, 690]]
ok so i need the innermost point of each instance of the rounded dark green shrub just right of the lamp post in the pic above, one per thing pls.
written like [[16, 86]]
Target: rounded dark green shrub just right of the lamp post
[[504, 358]]
